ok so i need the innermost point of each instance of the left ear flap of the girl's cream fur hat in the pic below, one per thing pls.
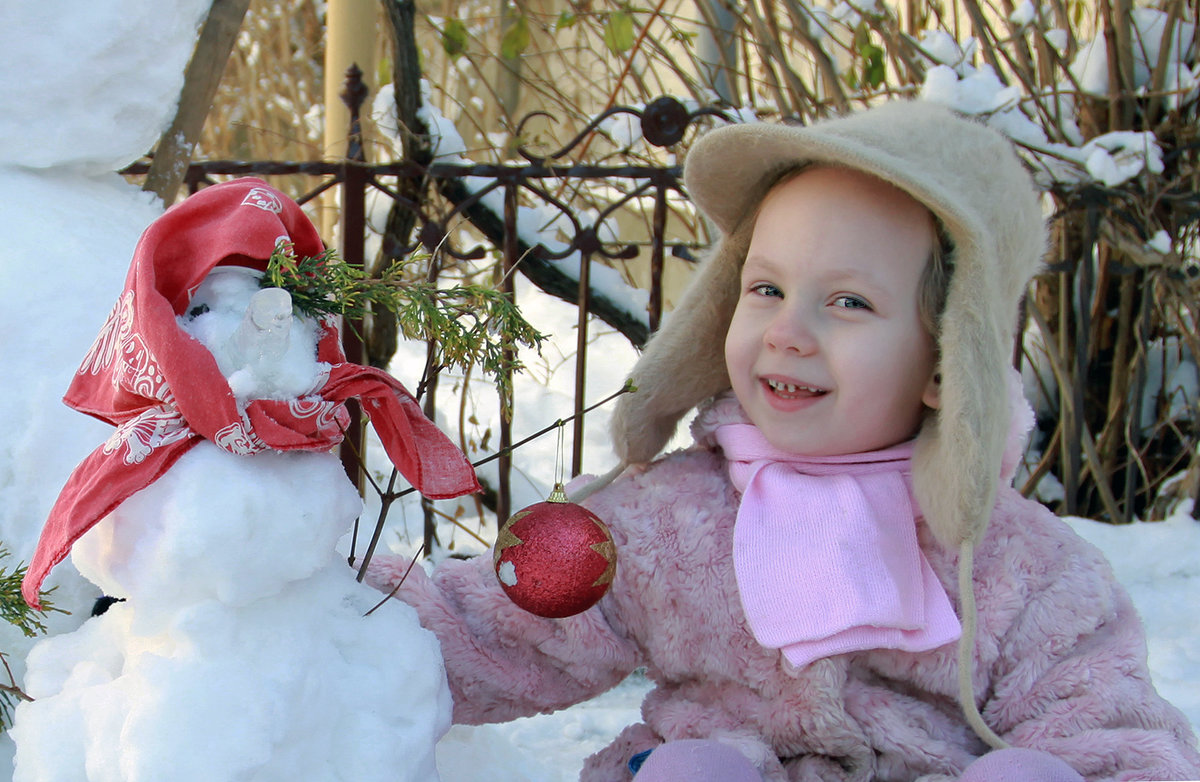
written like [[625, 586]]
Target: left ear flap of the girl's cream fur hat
[[685, 362]]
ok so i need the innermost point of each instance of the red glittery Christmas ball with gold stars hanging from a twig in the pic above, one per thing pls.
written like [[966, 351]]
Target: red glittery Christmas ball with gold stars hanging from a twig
[[556, 558]]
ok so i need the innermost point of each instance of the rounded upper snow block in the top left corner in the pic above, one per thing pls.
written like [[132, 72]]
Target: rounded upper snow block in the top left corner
[[94, 87]]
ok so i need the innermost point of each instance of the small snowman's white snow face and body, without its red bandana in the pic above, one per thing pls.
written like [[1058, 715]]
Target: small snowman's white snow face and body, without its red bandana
[[242, 651]]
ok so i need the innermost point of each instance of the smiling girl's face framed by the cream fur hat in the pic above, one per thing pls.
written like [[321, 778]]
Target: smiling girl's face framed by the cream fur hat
[[826, 351]]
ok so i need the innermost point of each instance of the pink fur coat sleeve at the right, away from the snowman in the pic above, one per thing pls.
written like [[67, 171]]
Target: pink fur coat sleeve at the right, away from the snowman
[[1061, 659]]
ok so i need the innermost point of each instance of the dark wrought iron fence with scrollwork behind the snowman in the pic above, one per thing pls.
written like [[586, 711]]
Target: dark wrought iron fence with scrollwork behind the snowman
[[664, 124]]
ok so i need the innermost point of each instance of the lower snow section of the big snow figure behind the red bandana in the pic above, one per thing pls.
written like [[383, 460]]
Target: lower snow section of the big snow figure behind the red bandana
[[68, 245]]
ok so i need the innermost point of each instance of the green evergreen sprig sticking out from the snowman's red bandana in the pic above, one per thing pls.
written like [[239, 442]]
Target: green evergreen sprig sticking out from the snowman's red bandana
[[469, 324]]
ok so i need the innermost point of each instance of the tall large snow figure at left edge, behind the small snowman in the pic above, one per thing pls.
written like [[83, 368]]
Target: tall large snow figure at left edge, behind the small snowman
[[88, 88]]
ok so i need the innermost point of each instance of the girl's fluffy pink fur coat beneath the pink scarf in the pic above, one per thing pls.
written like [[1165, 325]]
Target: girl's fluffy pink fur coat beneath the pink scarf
[[1060, 665]]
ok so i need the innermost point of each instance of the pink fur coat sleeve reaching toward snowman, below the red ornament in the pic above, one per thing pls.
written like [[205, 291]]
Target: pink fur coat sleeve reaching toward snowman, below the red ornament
[[502, 661]]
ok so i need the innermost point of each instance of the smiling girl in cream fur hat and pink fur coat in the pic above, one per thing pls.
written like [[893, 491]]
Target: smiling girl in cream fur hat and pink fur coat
[[837, 581]]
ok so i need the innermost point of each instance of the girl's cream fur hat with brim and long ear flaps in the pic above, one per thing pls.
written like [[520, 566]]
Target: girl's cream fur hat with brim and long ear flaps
[[970, 178]]
